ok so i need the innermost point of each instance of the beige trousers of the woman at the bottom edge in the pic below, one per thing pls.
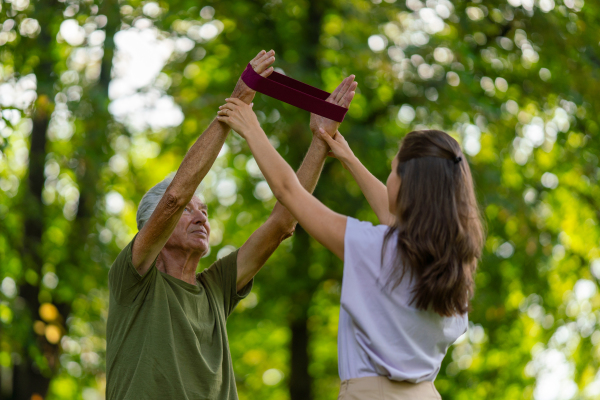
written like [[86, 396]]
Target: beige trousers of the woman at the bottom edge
[[381, 388]]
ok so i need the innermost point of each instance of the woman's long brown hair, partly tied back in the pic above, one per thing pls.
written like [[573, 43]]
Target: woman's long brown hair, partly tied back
[[440, 232]]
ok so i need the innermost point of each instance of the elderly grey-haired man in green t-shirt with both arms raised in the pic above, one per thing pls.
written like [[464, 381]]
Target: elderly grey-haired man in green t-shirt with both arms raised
[[166, 324]]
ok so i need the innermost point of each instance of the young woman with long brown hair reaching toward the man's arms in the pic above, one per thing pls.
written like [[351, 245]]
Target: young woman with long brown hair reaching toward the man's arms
[[407, 282]]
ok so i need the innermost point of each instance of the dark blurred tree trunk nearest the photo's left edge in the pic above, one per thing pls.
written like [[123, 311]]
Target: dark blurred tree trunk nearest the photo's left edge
[[28, 377]]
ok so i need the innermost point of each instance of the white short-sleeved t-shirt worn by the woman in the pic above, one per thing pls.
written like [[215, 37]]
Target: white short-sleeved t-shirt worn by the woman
[[379, 332]]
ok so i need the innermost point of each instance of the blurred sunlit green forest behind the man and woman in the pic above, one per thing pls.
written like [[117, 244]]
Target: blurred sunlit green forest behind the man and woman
[[101, 100]]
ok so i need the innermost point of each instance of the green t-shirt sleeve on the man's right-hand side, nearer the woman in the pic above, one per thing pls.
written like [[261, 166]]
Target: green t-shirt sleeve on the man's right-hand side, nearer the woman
[[221, 278]]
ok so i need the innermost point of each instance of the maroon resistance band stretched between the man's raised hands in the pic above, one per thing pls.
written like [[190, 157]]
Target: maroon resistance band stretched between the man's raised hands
[[296, 93]]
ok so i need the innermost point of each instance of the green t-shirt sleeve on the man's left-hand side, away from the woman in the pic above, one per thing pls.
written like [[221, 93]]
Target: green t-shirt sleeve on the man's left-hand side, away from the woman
[[125, 284]]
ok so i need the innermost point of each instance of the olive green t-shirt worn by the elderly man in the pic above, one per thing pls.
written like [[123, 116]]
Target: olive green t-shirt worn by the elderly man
[[166, 338]]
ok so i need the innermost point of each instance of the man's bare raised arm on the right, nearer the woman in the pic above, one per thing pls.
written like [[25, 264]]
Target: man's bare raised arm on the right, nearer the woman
[[281, 224]]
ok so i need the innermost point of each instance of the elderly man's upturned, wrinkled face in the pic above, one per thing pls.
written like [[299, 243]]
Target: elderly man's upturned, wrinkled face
[[192, 230]]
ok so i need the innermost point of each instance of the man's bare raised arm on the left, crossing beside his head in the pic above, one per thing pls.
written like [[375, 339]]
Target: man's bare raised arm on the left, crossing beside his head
[[194, 167]]
